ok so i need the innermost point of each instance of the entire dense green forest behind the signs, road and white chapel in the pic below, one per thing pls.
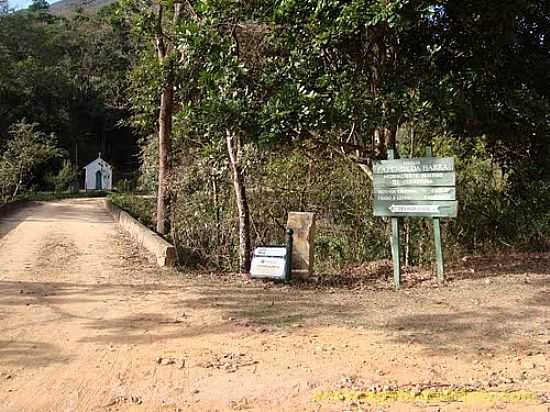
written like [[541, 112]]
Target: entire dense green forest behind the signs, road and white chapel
[[233, 113]]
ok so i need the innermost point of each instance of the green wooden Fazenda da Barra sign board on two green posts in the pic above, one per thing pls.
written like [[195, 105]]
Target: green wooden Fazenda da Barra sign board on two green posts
[[421, 187]]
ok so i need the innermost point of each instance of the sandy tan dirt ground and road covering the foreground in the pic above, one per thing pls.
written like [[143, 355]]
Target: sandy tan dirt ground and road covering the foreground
[[87, 324]]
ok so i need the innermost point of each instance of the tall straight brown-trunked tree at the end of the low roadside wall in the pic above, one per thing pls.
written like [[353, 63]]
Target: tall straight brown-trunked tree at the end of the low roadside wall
[[153, 83]]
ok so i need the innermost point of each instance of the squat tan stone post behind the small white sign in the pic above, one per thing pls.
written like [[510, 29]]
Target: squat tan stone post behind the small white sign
[[303, 225]]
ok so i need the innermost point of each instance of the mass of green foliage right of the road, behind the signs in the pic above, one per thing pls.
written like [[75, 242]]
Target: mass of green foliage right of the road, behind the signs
[[306, 85]]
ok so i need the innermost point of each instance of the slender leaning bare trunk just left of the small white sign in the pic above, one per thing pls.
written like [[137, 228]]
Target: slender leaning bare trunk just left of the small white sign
[[233, 149]]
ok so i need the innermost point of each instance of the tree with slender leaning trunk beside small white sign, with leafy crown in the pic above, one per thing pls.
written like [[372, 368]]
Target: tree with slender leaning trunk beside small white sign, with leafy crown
[[218, 103]]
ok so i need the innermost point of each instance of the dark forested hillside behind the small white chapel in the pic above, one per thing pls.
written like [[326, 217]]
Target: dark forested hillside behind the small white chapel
[[67, 77]]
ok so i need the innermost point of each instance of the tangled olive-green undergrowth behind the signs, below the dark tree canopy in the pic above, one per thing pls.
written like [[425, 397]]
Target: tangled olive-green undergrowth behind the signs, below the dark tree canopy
[[493, 213]]
